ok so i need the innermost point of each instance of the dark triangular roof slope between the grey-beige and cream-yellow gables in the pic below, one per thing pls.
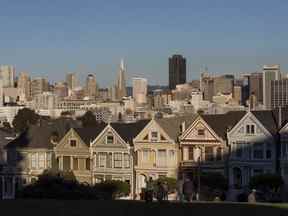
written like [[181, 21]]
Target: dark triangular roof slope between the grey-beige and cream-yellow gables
[[128, 131]]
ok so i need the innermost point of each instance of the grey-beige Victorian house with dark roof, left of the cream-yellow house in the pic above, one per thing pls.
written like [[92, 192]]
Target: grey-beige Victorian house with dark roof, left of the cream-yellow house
[[112, 152]]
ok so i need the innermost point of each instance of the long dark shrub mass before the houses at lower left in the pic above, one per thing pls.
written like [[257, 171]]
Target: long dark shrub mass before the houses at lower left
[[63, 185]]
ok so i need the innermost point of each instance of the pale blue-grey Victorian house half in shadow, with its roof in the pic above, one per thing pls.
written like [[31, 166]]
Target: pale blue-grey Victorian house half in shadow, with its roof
[[253, 144]]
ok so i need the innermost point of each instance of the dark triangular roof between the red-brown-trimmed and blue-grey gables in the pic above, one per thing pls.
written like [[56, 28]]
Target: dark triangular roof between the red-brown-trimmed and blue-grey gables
[[220, 123]]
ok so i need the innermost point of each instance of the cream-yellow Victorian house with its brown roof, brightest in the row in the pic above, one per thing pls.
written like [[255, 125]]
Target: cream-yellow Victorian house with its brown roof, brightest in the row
[[157, 149]]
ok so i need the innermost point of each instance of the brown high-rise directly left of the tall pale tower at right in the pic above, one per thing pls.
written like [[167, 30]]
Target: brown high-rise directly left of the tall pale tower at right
[[256, 86]]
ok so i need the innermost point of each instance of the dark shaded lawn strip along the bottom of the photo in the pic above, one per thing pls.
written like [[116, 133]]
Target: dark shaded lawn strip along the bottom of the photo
[[127, 208]]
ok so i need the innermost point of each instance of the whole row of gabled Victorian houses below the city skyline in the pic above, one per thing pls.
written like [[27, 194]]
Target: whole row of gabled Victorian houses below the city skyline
[[237, 144]]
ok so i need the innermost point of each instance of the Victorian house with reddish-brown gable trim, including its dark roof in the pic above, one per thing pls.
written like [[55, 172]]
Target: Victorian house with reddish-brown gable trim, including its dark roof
[[204, 144]]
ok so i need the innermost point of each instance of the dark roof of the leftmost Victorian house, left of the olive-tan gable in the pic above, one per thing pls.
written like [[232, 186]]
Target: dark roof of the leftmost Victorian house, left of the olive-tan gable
[[37, 136]]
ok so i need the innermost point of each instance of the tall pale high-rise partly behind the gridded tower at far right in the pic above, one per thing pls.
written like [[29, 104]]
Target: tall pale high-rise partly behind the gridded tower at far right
[[270, 73]]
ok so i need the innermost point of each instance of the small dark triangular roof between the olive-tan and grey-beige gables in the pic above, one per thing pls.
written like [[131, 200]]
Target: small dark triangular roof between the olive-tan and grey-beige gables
[[88, 134]]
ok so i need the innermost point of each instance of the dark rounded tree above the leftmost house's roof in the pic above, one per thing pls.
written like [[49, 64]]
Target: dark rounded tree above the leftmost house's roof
[[24, 118]]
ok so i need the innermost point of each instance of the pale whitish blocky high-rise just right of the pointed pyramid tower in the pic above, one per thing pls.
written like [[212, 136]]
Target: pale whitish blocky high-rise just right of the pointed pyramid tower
[[140, 90]]
